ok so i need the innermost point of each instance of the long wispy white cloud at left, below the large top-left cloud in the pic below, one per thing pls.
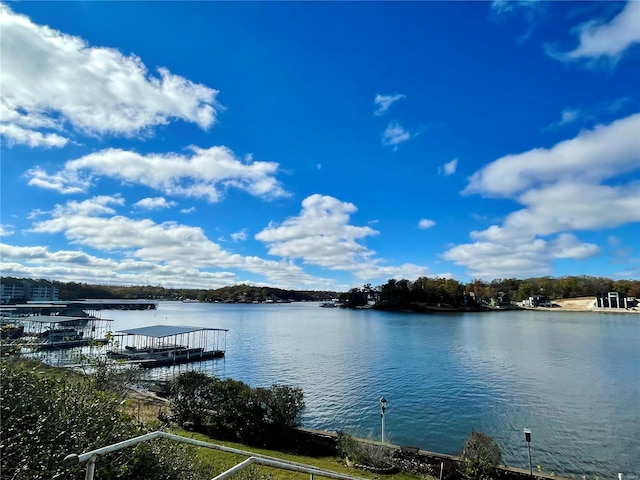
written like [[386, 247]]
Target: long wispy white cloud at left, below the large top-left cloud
[[207, 173]]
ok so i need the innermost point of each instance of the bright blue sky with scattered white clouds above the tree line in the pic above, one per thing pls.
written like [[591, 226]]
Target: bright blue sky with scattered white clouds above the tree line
[[319, 145]]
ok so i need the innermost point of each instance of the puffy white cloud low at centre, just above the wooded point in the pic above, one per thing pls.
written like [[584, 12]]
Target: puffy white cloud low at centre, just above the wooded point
[[321, 235]]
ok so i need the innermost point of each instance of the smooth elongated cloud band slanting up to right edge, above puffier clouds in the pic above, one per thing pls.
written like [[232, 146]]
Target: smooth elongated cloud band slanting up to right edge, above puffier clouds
[[594, 155]]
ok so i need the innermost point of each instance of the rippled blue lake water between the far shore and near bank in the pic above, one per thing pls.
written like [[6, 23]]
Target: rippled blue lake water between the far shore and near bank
[[573, 378]]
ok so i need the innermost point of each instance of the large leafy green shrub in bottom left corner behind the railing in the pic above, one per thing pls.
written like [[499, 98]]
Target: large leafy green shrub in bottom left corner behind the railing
[[47, 415]]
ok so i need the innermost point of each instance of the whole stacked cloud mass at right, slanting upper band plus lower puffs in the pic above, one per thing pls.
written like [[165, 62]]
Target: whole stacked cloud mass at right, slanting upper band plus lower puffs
[[562, 191]]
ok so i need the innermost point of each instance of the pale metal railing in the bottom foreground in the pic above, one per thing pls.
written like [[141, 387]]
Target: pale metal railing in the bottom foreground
[[254, 458]]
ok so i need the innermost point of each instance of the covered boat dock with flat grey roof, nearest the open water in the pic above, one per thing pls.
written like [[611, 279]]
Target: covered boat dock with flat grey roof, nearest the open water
[[161, 345]]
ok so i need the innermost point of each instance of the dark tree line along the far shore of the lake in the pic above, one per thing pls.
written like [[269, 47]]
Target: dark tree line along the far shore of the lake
[[395, 292]]
